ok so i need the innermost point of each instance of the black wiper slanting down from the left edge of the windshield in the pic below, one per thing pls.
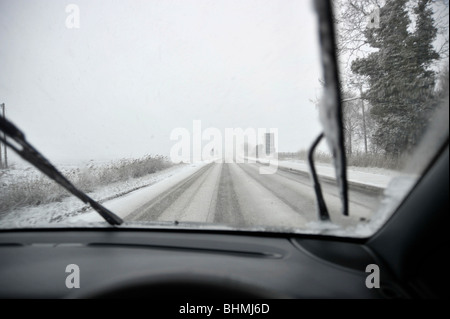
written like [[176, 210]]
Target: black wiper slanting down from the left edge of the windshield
[[30, 154]]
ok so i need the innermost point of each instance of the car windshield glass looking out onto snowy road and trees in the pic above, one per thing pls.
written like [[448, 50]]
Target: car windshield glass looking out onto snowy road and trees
[[201, 114]]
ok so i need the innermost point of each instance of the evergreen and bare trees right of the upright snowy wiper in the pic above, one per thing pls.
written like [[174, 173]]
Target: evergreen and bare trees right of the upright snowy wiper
[[393, 75]]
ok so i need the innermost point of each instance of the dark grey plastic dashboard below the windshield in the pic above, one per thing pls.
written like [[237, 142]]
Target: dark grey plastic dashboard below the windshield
[[165, 264]]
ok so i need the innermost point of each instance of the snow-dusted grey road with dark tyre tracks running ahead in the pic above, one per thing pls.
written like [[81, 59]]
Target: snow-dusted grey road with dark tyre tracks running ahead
[[238, 195]]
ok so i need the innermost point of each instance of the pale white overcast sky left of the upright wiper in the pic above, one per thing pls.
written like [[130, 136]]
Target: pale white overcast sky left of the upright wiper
[[135, 70]]
